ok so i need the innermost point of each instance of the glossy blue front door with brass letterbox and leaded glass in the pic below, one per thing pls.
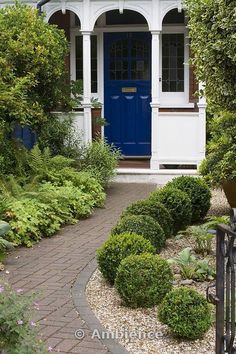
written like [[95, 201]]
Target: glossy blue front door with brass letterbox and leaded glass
[[128, 92]]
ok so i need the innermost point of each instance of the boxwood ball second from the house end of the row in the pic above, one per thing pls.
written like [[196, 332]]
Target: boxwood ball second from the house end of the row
[[177, 203]]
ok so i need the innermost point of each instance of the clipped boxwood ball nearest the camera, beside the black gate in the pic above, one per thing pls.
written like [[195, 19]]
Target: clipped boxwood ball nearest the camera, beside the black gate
[[186, 312]]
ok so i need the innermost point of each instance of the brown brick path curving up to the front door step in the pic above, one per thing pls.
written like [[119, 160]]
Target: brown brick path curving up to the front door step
[[51, 268]]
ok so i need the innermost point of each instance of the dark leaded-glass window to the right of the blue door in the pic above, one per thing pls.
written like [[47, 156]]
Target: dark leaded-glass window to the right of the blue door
[[173, 62]]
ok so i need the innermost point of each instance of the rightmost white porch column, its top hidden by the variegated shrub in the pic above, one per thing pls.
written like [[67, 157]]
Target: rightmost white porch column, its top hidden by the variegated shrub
[[202, 124]]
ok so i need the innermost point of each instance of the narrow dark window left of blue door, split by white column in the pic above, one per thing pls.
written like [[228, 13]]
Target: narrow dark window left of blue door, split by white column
[[79, 61]]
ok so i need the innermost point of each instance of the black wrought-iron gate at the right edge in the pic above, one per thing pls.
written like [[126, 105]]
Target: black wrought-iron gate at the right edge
[[224, 298]]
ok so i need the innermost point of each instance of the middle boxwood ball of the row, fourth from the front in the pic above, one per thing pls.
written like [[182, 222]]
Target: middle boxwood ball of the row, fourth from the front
[[142, 225]]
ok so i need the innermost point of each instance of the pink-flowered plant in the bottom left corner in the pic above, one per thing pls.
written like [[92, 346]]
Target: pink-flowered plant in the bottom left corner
[[18, 333]]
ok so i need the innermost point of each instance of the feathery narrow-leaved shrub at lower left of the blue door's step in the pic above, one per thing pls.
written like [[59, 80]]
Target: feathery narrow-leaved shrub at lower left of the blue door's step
[[101, 160]]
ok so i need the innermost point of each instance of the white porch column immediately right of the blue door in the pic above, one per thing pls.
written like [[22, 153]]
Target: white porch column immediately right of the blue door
[[155, 104]]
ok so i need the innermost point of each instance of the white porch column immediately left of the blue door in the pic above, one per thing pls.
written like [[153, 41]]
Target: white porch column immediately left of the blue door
[[87, 85]]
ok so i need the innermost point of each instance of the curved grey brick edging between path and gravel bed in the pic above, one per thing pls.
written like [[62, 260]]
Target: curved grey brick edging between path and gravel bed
[[82, 305]]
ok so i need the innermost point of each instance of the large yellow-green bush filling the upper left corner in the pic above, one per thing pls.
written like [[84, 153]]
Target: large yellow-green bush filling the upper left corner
[[32, 67]]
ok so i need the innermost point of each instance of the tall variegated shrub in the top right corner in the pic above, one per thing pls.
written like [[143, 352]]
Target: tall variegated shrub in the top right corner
[[212, 27]]
